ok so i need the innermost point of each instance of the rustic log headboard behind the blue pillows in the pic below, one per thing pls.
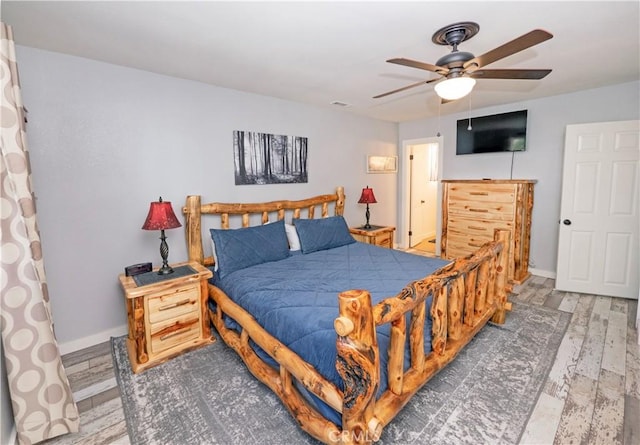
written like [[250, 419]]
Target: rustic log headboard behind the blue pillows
[[194, 211]]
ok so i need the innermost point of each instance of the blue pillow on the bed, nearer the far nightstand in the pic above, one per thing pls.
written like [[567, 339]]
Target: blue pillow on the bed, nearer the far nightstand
[[322, 234]]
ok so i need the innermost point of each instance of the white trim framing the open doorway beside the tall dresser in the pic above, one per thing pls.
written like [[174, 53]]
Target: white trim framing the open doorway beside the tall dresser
[[405, 186]]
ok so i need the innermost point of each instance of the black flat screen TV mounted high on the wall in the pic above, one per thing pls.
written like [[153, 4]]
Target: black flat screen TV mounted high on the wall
[[494, 133]]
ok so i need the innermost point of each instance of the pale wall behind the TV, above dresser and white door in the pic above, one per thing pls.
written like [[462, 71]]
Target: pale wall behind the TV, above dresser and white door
[[543, 159]]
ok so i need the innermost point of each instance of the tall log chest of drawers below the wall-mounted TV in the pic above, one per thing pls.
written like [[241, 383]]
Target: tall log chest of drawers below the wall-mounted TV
[[473, 209]]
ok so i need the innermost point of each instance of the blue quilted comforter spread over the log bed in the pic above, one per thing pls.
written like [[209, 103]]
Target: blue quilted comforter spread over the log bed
[[296, 299]]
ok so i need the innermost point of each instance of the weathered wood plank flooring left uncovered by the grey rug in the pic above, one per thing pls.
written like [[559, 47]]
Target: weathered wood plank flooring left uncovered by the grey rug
[[592, 395]]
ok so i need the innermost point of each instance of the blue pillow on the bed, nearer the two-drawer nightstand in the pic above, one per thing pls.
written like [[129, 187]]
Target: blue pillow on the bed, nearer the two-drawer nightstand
[[236, 249]]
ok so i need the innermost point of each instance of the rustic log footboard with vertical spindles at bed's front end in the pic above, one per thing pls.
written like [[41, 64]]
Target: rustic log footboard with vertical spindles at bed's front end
[[466, 295]]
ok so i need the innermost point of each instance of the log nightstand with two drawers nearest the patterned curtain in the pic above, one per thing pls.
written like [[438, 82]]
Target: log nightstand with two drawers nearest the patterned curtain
[[167, 314]]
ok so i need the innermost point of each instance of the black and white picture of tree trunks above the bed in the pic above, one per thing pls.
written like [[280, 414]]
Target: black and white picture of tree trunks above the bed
[[262, 158]]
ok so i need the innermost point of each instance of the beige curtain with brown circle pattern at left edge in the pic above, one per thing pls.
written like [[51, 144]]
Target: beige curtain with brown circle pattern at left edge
[[41, 397]]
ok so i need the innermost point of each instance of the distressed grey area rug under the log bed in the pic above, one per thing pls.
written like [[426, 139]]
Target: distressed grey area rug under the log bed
[[485, 396]]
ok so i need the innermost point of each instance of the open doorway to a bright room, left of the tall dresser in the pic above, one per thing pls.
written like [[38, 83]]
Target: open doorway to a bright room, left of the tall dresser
[[420, 192]]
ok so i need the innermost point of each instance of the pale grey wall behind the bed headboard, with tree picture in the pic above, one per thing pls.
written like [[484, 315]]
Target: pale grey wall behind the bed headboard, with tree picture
[[106, 140]]
